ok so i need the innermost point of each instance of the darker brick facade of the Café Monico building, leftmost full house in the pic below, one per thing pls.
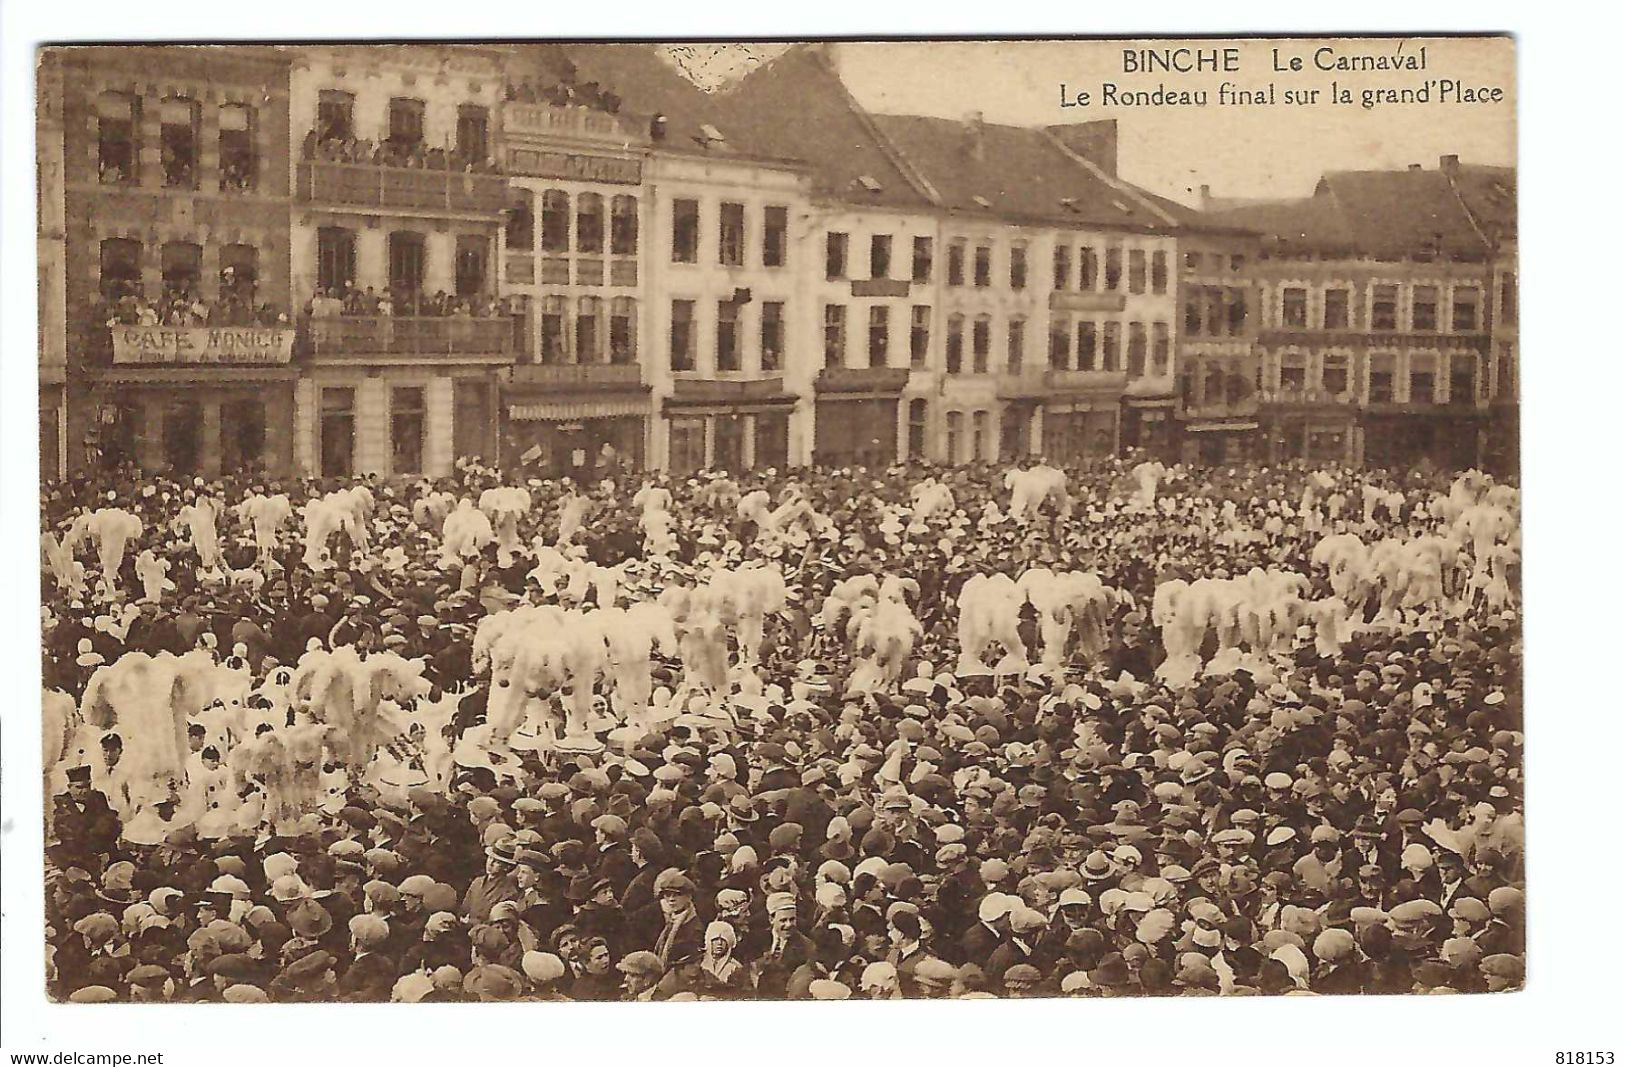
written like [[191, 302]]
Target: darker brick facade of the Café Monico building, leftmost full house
[[176, 259]]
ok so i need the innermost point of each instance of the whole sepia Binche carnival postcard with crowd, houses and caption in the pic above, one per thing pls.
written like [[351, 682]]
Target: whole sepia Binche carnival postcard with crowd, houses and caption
[[635, 522]]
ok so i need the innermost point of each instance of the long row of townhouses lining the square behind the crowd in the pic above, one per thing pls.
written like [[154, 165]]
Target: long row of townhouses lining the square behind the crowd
[[570, 257]]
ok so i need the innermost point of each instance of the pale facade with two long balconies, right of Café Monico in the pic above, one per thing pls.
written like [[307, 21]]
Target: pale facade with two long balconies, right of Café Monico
[[397, 228]]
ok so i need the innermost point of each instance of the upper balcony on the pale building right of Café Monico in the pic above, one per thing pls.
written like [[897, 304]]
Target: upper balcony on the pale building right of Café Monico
[[415, 189]]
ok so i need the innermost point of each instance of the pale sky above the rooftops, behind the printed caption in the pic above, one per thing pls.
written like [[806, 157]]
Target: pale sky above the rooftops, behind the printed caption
[[1237, 150]]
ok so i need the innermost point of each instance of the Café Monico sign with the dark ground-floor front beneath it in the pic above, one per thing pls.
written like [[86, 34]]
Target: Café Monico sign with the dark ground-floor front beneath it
[[194, 400]]
